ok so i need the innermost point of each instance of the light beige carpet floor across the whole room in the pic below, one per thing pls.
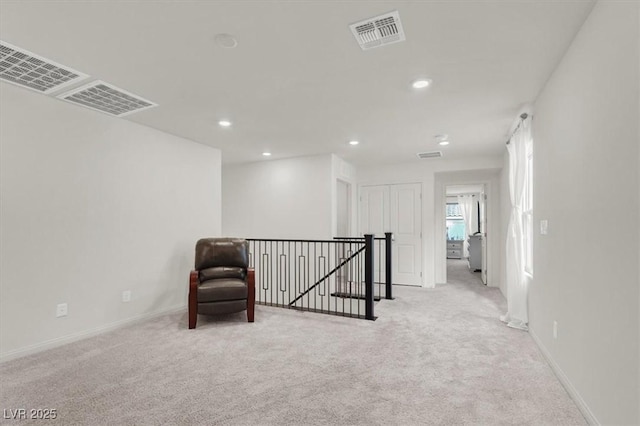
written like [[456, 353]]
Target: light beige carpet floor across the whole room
[[434, 357]]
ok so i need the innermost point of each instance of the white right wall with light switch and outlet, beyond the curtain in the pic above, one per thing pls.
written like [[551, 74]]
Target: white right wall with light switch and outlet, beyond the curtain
[[586, 164]]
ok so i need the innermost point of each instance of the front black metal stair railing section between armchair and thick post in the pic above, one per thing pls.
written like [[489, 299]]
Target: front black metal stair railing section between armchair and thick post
[[327, 276]]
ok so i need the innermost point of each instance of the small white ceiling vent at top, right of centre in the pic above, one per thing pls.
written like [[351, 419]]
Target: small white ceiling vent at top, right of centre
[[378, 31]]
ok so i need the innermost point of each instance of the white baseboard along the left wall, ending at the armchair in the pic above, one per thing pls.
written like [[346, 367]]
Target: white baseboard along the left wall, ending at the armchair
[[59, 341]]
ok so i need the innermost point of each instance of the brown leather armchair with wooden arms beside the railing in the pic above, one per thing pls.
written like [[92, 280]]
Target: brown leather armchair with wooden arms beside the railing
[[222, 281]]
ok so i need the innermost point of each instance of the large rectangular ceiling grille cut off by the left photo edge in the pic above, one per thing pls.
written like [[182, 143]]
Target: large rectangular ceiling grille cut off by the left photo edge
[[26, 69]]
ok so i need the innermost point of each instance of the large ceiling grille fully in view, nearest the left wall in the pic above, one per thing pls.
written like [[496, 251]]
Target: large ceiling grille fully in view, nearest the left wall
[[107, 98]]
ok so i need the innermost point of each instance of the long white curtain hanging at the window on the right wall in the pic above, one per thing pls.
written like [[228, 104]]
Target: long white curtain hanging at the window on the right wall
[[517, 315]]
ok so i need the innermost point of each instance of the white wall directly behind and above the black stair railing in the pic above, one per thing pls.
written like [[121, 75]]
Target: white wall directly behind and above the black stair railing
[[289, 198]]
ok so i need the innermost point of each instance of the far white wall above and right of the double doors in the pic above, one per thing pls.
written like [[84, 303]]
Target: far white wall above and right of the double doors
[[424, 172]]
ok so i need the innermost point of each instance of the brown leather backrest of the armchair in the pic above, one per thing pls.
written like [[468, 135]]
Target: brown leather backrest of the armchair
[[222, 252]]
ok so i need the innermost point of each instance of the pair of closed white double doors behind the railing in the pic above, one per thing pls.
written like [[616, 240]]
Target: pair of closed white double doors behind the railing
[[396, 209]]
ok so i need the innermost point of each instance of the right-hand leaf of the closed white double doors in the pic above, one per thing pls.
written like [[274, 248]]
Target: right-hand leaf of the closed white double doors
[[406, 225]]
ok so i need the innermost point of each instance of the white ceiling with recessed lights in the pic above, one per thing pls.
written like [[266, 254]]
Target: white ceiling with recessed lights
[[297, 83]]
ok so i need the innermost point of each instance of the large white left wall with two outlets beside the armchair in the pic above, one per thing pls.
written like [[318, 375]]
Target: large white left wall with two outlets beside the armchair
[[91, 206]]
